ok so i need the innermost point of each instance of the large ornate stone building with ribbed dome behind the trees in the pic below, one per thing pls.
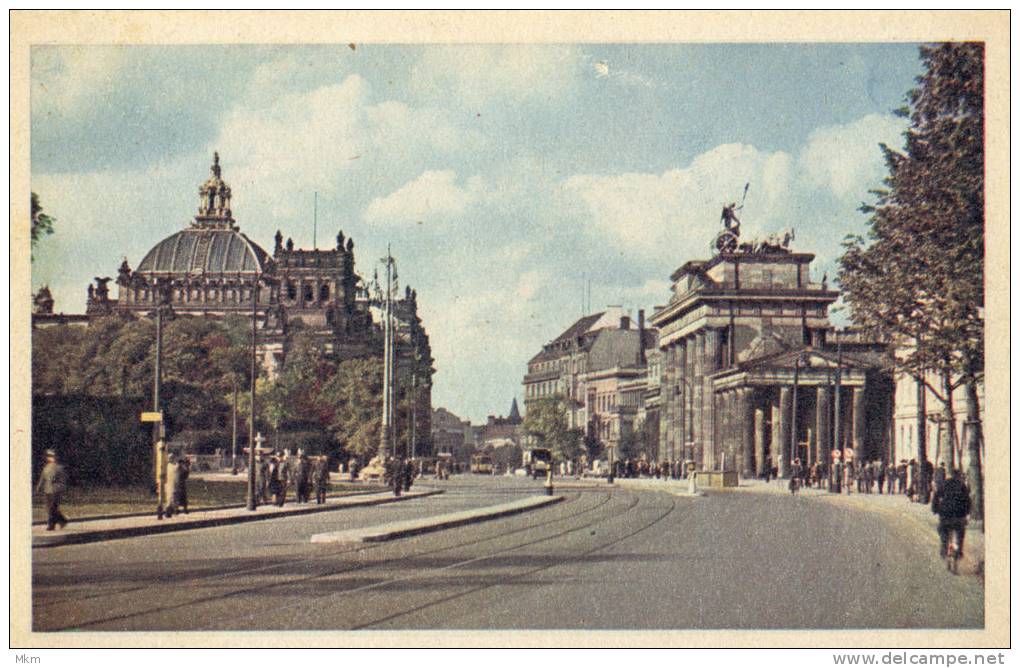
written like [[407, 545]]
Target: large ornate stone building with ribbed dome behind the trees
[[212, 269]]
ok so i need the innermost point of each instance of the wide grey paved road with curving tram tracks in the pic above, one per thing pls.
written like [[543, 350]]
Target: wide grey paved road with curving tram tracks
[[619, 558]]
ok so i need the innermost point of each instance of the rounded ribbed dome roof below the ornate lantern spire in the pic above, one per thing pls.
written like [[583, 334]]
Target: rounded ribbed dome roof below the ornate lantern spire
[[205, 250]]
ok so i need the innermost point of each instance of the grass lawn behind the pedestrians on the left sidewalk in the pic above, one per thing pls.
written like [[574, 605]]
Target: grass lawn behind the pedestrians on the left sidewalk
[[89, 502]]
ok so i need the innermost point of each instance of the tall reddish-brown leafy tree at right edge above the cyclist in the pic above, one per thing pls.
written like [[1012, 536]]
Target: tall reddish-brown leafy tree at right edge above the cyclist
[[920, 277]]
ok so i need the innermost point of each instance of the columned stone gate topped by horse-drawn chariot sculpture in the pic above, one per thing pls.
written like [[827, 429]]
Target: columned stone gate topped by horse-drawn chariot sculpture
[[754, 376]]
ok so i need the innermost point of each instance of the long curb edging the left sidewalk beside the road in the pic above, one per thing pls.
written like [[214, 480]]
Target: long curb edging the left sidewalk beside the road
[[59, 540]]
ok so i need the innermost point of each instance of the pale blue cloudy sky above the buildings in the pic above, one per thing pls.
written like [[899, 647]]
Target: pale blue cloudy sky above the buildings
[[505, 178]]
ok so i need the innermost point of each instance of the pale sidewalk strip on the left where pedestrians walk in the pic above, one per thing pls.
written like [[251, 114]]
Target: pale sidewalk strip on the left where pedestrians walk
[[123, 528]]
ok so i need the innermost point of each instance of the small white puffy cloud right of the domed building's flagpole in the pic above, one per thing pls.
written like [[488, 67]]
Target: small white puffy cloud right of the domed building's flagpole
[[431, 197]]
